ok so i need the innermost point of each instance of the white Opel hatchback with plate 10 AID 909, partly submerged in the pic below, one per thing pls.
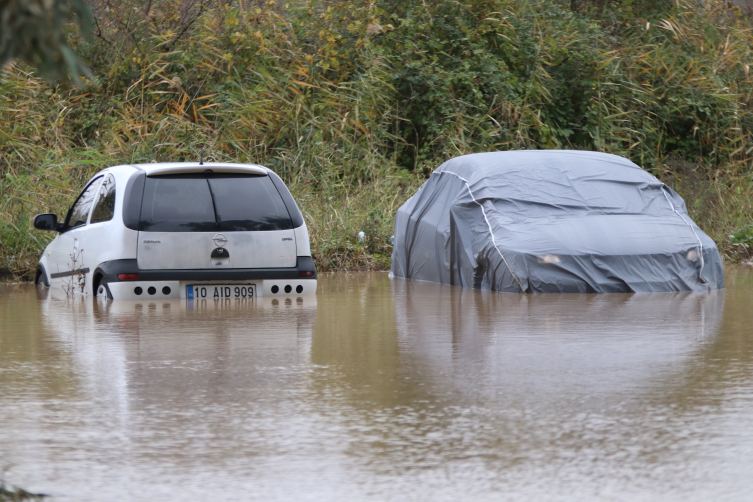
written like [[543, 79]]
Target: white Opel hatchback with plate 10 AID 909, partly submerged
[[180, 230]]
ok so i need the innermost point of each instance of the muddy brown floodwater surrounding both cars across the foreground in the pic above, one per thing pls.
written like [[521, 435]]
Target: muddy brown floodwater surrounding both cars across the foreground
[[380, 389]]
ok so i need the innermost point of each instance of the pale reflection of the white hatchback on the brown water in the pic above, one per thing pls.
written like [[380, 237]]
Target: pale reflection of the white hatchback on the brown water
[[173, 353]]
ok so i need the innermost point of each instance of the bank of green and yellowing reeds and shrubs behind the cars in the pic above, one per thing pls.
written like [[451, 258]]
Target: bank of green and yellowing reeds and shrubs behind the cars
[[354, 103]]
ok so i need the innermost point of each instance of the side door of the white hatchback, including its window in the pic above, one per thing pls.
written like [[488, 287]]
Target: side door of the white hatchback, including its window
[[68, 257]]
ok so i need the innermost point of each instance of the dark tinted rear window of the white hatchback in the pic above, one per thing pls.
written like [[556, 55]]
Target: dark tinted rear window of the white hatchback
[[212, 202]]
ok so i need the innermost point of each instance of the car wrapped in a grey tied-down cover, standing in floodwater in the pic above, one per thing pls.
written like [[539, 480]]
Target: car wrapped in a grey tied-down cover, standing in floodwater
[[546, 221]]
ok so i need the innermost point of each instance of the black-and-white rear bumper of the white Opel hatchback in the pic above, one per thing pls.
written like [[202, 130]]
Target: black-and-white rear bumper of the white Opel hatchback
[[172, 283]]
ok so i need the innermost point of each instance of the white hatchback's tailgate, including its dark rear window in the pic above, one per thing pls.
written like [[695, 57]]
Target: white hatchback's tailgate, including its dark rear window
[[212, 221]]
